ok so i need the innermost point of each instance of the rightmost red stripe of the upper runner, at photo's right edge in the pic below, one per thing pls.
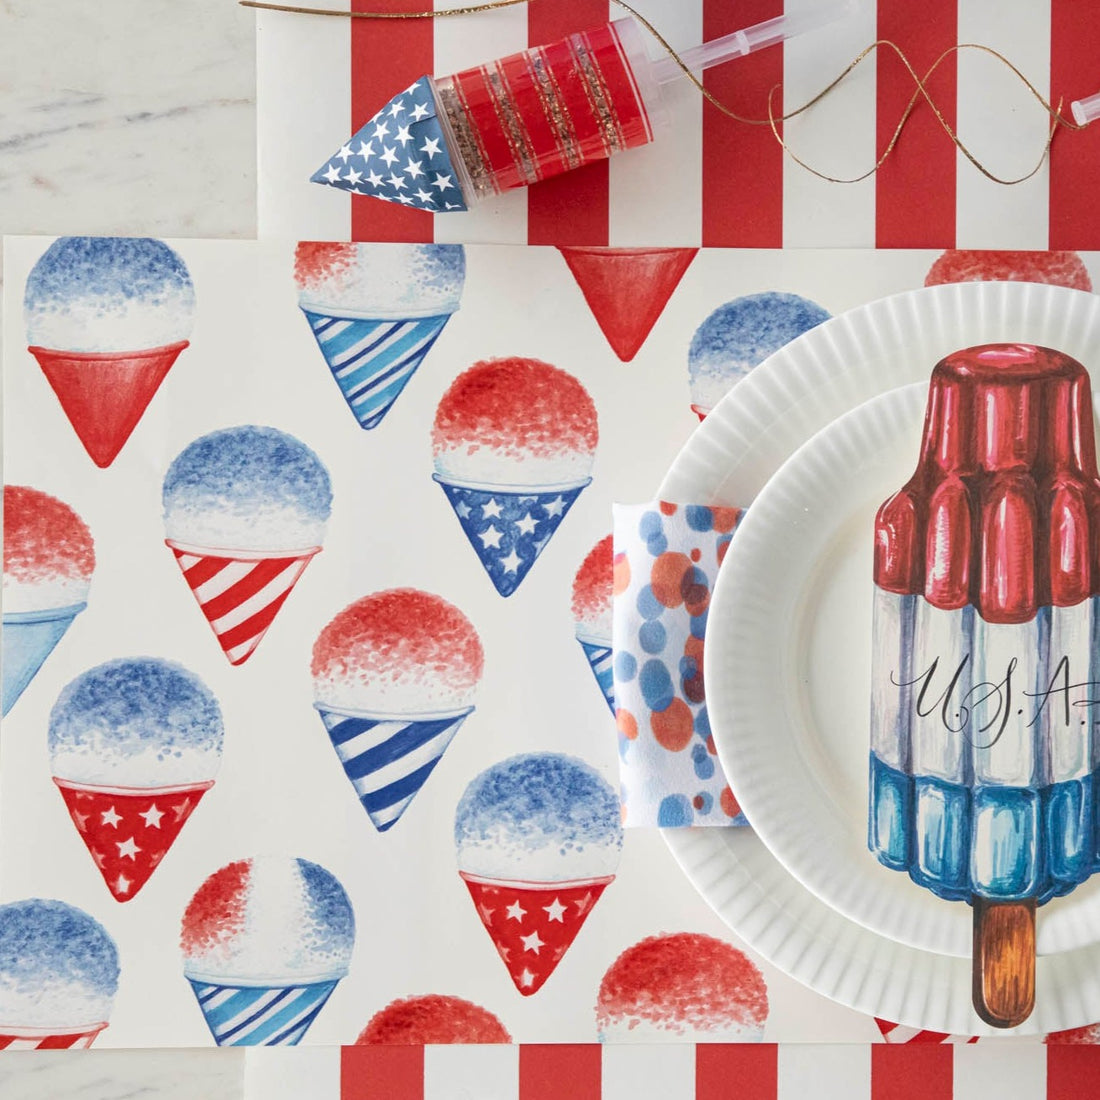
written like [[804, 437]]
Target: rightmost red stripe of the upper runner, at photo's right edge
[[1075, 157]]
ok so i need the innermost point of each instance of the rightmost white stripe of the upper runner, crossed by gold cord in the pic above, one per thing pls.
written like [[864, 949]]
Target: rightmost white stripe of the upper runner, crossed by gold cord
[[1003, 125]]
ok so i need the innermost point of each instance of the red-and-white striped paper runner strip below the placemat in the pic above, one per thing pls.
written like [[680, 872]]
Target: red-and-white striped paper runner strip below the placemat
[[678, 1072]]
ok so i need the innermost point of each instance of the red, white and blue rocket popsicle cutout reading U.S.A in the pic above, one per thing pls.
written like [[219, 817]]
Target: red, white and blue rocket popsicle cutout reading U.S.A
[[986, 587]]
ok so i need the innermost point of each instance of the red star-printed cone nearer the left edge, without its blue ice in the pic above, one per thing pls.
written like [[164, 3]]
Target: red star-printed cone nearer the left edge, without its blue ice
[[129, 831]]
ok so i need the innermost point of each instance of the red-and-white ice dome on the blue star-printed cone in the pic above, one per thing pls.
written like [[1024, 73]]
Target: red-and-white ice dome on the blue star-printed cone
[[515, 422]]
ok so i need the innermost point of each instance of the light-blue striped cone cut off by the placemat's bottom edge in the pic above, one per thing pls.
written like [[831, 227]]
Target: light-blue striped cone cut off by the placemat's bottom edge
[[260, 1016]]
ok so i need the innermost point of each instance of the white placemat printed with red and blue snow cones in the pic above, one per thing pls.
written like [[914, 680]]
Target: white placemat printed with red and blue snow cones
[[306, 599]]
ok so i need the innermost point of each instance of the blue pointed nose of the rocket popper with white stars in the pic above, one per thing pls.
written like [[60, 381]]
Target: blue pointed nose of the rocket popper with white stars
[[401, 157]]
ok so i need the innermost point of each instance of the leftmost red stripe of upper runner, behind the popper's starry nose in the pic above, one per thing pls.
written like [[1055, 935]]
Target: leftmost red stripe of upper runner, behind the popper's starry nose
[[387, 58]]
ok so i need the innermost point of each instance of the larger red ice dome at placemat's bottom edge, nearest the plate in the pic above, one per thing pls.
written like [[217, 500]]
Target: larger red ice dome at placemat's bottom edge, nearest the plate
[[687, 988]]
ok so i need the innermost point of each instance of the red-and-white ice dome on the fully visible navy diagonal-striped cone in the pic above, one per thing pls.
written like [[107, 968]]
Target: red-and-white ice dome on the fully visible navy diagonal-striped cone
[[398, 652]]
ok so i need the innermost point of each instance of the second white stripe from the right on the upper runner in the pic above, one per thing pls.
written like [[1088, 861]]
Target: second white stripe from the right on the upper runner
[[837, 137]]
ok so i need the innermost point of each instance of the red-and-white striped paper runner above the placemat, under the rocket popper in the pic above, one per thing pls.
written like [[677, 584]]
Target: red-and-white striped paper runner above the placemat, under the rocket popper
[[711, 181]]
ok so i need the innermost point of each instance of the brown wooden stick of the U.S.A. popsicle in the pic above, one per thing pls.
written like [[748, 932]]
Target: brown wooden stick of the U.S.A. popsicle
[[1004, 961]]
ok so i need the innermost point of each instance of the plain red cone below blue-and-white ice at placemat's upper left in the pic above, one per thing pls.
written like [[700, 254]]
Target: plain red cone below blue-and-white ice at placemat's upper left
[[105, 394]]
